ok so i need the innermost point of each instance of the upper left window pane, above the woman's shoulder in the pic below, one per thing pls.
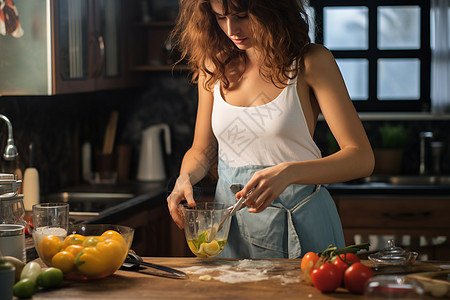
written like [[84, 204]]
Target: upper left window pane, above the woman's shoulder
[[346, 28]]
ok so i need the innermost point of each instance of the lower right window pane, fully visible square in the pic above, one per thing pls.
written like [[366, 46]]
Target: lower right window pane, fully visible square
[[398, 79]]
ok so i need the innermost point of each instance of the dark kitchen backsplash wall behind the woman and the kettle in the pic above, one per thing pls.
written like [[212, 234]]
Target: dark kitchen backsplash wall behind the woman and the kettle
[[59, 125]]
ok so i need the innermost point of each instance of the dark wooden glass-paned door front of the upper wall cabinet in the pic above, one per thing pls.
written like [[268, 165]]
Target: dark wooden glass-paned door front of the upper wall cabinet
[[89, 42]]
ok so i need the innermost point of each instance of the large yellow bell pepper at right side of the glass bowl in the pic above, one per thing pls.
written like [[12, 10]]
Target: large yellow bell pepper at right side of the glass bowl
[[102, 260]]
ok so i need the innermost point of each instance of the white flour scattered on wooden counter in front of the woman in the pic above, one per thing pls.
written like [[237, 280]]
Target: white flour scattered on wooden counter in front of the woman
[[246, 270]]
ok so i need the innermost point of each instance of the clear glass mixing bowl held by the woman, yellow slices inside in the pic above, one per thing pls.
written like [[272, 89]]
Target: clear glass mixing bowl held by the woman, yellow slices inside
[[198, 222]]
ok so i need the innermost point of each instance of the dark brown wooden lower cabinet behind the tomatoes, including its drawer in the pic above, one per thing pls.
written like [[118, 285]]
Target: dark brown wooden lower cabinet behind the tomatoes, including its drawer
[[421, 217]]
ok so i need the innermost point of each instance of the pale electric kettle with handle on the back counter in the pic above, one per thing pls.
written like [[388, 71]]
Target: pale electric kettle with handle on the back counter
[[151, 159]]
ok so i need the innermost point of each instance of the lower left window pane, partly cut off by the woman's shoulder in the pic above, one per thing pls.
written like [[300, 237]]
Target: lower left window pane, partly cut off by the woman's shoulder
[[356, 77]]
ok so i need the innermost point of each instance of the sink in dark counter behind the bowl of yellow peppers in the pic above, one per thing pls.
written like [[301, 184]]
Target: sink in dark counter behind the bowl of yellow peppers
[[84, 206]]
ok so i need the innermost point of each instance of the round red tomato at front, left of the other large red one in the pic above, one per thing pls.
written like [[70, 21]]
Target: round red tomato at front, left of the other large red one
[[326, 278]]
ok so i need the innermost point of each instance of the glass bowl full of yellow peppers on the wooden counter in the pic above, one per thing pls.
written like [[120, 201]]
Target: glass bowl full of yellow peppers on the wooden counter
[[89, 251]]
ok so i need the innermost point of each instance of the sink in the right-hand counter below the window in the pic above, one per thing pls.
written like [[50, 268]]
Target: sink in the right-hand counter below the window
[[410, 179]]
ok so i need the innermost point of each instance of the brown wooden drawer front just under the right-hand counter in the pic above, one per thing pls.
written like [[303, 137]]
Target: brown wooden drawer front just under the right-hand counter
[[393, 212]]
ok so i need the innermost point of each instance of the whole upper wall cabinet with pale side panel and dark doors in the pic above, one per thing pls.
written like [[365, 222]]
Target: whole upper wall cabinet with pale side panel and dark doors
[[68, 47]]
